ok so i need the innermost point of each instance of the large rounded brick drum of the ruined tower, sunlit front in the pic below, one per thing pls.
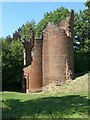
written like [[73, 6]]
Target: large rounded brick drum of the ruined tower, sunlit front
[[55, 60]]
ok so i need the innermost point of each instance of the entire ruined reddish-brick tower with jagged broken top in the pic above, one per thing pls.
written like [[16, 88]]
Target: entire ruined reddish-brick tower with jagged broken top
[[52, 56]]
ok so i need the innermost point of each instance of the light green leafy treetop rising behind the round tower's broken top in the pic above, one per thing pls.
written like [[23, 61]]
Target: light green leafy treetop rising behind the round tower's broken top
[[55, 16]]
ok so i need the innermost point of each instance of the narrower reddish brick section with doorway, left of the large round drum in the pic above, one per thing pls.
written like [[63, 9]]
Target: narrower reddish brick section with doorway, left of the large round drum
[[33, 73]]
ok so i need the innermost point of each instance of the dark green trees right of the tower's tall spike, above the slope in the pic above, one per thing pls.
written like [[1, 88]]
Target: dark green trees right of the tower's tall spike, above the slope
[[82, 39]]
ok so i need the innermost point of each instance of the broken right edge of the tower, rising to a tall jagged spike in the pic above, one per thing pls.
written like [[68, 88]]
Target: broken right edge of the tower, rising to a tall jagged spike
[[68, 25]]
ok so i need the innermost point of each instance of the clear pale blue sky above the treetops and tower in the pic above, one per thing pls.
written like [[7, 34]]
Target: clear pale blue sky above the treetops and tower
[[14, 14]]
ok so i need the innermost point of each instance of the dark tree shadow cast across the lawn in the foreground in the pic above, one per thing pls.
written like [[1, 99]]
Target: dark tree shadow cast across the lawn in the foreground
[[49, 107]]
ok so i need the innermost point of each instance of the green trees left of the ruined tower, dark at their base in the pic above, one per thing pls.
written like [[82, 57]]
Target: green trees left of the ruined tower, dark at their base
[[12, 55]]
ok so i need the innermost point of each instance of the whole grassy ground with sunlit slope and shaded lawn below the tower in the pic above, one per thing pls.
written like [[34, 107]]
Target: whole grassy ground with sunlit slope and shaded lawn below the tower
[[68, 101]]
